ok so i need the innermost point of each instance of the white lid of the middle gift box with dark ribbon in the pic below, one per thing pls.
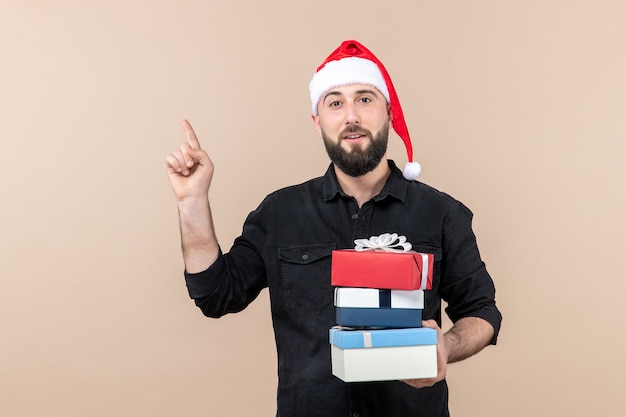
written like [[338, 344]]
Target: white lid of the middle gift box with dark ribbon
[[378, 298]]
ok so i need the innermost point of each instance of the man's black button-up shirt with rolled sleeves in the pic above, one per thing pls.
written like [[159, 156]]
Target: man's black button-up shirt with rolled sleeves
[[286, 245]]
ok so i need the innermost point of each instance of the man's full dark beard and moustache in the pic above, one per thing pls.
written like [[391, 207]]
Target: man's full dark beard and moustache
[[358, 161]]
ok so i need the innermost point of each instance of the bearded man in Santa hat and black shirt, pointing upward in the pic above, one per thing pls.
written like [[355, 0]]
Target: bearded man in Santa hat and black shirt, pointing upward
[[287, 241]]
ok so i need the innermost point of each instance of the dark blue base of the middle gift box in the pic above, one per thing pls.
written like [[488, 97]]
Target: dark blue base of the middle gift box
[[378, 317]]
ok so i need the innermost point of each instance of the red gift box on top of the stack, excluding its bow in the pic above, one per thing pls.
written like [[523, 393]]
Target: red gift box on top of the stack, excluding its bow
[[385, 270]]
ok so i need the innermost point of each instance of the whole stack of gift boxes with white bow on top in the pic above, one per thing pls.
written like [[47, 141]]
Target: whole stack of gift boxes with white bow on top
[[379, 298]]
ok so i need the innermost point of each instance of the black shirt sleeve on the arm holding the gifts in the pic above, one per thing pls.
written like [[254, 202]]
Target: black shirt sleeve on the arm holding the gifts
[[467, 287]]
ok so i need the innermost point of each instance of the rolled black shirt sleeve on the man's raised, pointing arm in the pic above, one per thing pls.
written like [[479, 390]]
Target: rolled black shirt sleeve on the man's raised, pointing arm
[[237, 277]]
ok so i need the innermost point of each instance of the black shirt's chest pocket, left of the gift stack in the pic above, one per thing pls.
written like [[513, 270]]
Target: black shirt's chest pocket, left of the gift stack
[[305, 274]]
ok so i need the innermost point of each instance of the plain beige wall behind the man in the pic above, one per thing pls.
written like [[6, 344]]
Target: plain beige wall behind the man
[[516, 108]]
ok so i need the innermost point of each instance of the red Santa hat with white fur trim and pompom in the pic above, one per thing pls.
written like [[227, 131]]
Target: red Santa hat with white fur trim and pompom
[[352, 63]]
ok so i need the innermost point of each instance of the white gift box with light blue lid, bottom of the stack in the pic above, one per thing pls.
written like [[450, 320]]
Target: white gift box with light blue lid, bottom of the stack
[[383, 355]]
